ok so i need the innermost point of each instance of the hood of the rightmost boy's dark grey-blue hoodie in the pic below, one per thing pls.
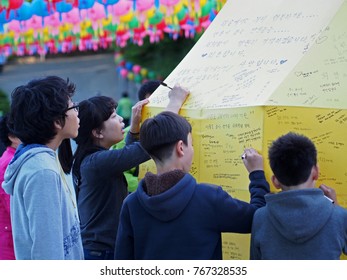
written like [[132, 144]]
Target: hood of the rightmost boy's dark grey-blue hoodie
[[294, 213]]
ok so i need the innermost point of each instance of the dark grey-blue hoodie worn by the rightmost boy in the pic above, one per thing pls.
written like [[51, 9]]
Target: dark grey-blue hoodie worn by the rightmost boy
[[299, 224]]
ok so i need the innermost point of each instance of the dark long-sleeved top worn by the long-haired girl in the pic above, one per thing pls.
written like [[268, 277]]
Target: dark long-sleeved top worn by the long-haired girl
[[102, 191]]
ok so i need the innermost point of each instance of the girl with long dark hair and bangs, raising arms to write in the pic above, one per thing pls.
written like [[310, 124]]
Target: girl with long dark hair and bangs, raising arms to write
[[98, 171]]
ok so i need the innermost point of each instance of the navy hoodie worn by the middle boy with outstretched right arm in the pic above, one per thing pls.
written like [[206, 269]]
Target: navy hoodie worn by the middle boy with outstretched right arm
[[185, 221]]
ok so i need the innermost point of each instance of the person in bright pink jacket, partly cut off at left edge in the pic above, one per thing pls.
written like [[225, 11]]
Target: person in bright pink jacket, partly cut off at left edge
[[6, 242]]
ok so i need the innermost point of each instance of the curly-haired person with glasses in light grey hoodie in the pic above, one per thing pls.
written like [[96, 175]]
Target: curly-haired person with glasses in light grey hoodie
[[44, 215]]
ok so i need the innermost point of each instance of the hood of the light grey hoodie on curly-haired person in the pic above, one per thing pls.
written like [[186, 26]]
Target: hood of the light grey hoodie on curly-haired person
[[22, 155]]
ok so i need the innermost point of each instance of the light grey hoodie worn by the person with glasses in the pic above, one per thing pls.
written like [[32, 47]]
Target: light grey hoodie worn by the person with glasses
[[44, 220]]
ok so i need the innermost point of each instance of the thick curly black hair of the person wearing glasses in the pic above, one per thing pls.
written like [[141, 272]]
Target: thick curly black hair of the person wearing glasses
[[36, 106]]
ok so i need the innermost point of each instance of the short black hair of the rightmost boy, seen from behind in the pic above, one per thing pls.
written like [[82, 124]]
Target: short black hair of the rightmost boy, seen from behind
[[292, 157]]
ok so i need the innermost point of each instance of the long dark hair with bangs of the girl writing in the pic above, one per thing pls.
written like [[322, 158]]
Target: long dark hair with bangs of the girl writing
[[92, 114]]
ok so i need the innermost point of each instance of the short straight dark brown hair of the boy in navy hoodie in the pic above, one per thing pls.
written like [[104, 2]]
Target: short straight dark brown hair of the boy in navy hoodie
[[158, 135]]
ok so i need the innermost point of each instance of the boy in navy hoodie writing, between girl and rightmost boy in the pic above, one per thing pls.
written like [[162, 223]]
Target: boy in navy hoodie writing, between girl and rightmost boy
[[171, 216]]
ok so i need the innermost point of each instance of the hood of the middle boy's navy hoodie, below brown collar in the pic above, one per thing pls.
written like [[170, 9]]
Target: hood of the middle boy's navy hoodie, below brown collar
[[168, 205]]
